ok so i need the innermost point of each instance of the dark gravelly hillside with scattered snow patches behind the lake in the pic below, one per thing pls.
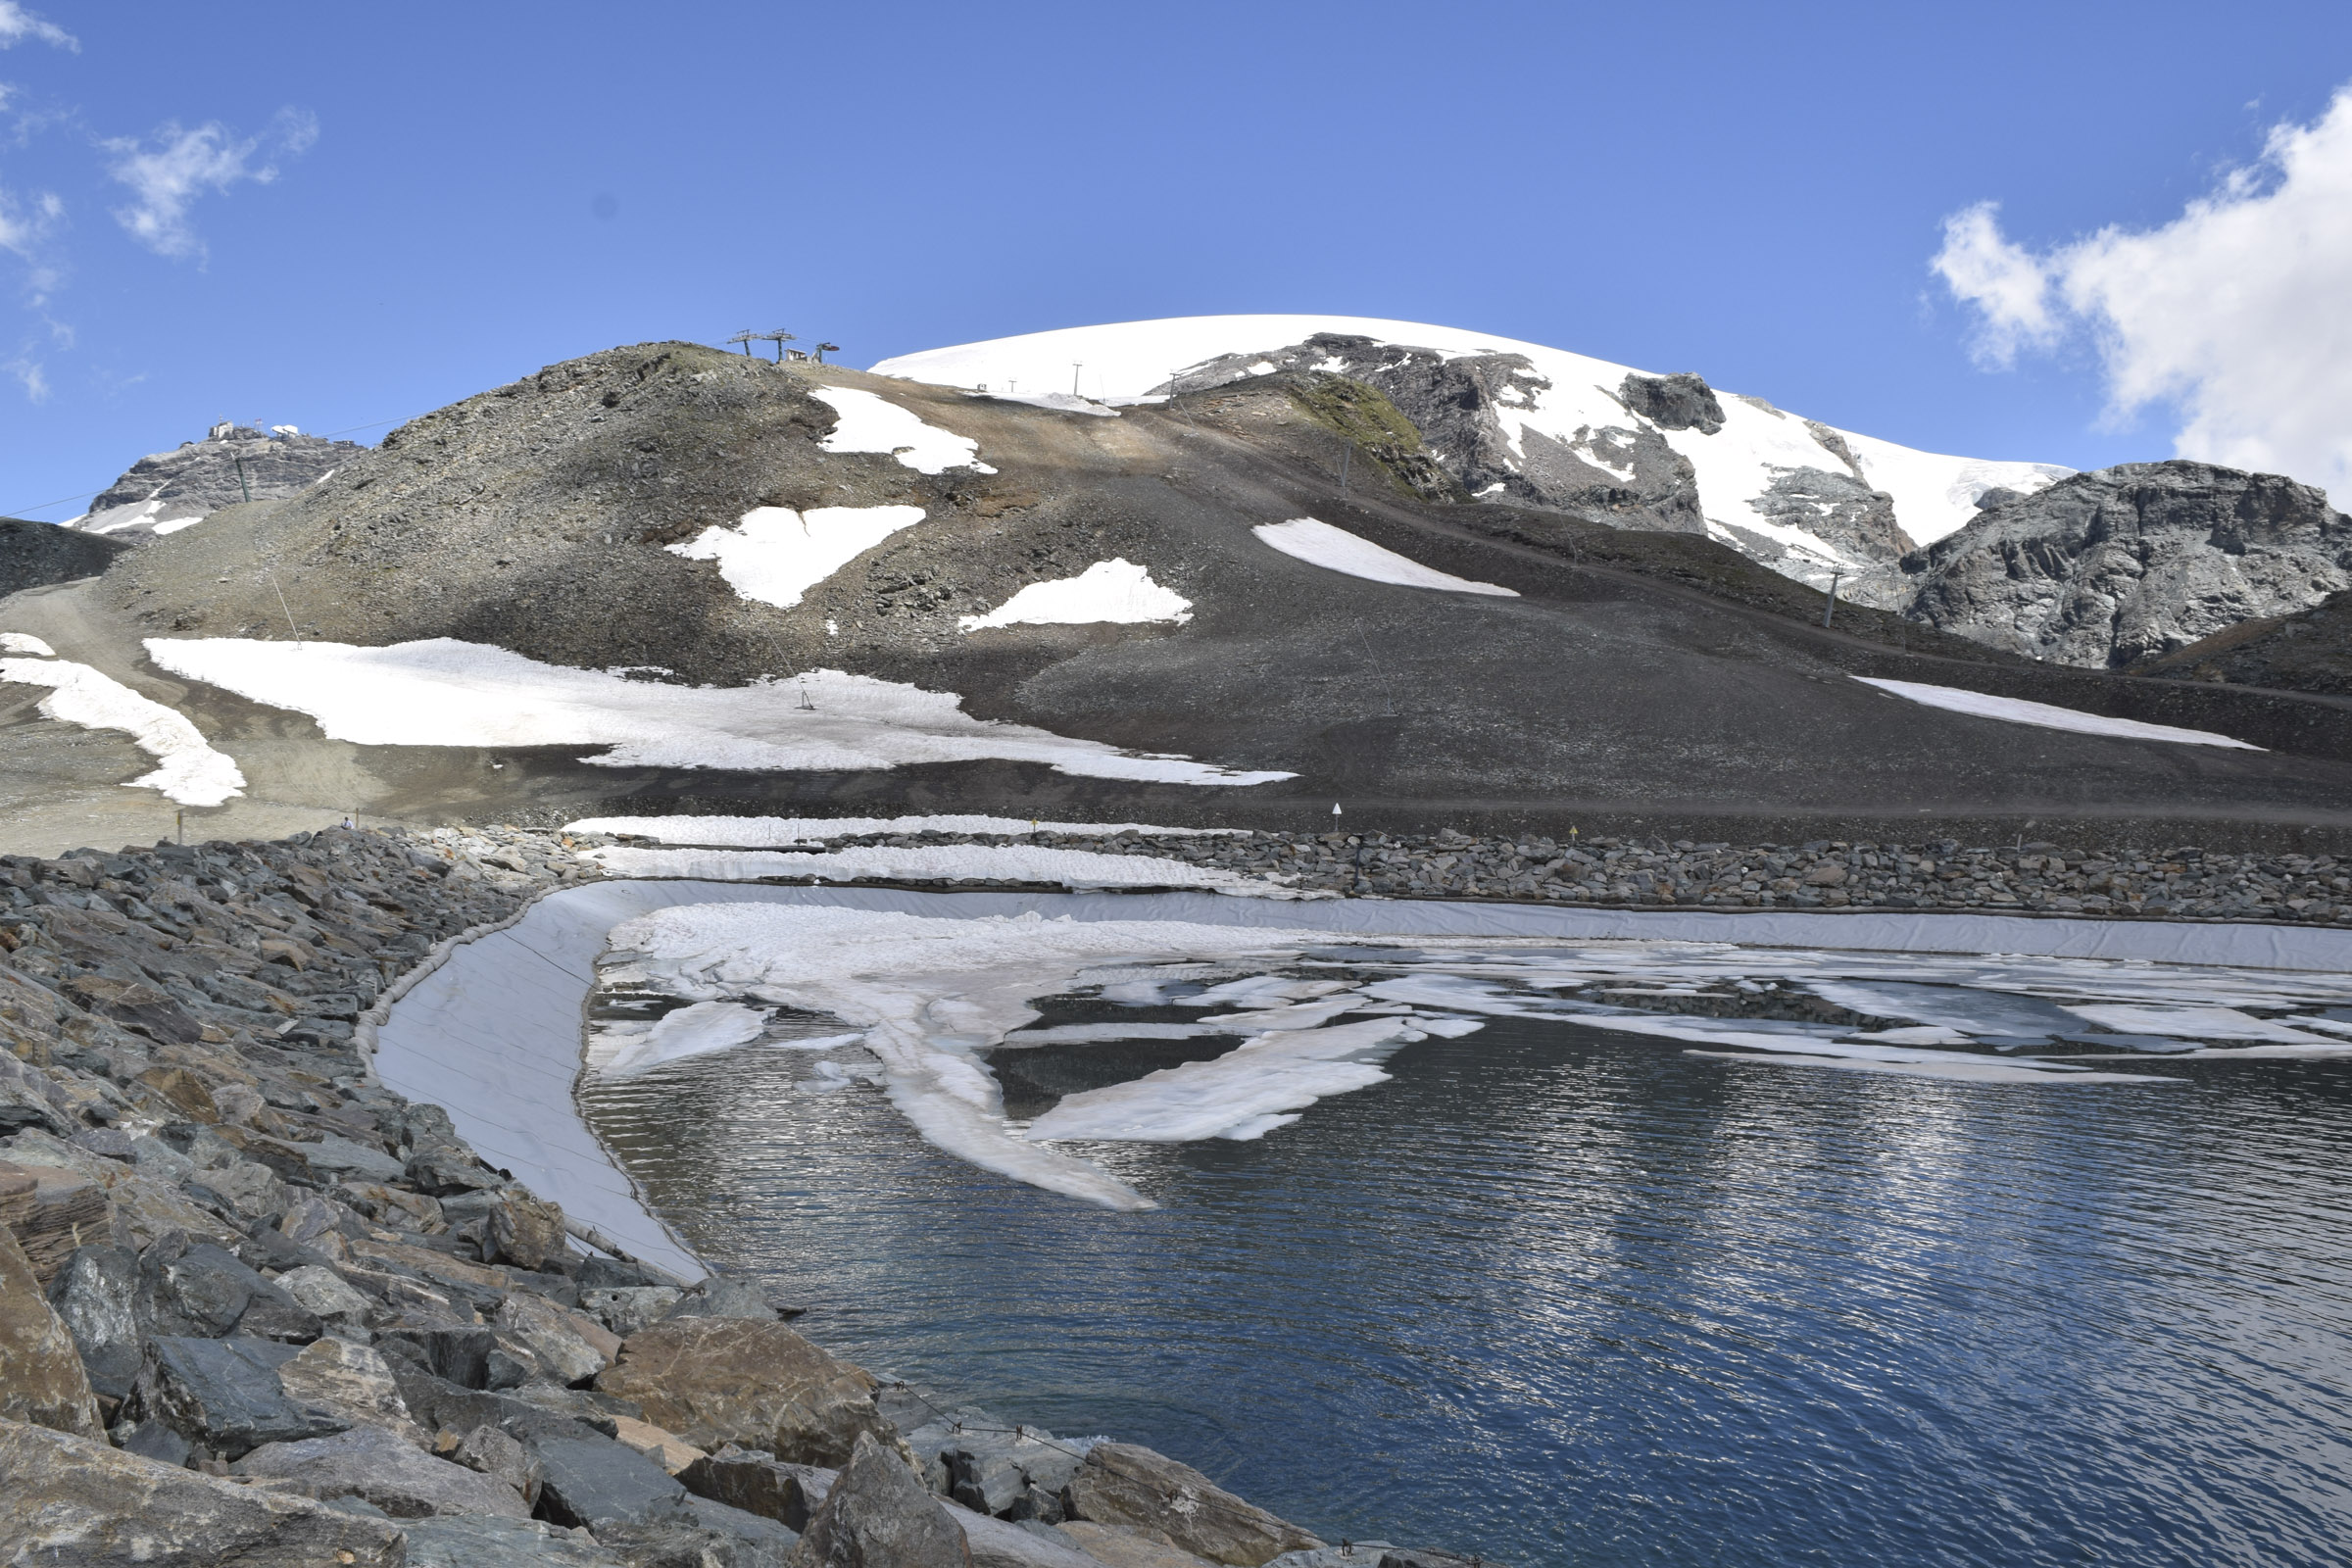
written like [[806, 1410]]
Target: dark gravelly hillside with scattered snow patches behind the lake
[[813, 589]]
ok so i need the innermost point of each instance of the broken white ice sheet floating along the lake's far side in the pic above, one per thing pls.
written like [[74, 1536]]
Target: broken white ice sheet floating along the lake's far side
[[935, 1000]]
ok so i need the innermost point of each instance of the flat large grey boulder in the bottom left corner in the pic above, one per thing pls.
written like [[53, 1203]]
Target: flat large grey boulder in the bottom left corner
[[74, 1501]]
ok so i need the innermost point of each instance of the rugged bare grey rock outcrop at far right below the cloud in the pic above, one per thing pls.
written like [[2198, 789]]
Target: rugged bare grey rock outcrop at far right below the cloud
[[2132, 563]]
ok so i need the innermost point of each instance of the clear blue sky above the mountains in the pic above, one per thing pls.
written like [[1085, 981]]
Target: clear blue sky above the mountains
[[465, 194]]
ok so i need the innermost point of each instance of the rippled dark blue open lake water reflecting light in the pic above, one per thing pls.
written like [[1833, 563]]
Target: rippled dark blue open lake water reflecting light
[[1570, 1299]]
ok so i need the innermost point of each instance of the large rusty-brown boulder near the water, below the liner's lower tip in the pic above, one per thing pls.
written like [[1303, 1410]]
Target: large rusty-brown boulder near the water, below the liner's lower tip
[[735, 1381]]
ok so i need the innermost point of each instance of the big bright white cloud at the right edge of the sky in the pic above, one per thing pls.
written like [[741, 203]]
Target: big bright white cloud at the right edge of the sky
[[2233, 314]]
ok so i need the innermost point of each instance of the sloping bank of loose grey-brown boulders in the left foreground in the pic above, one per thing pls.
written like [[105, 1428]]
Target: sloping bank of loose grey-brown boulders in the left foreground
[[258, 1308]]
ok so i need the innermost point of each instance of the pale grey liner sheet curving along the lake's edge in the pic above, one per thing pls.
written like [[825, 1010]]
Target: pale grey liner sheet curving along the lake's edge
[[495, 1033]]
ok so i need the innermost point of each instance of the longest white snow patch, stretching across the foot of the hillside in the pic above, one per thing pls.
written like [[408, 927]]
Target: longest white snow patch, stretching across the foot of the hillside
[[448, 692]]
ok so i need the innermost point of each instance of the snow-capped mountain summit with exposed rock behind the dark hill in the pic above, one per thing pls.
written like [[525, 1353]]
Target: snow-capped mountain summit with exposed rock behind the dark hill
[[1544, 427]]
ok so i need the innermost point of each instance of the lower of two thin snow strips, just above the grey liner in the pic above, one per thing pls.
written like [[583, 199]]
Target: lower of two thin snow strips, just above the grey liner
[[1071, 869]]
